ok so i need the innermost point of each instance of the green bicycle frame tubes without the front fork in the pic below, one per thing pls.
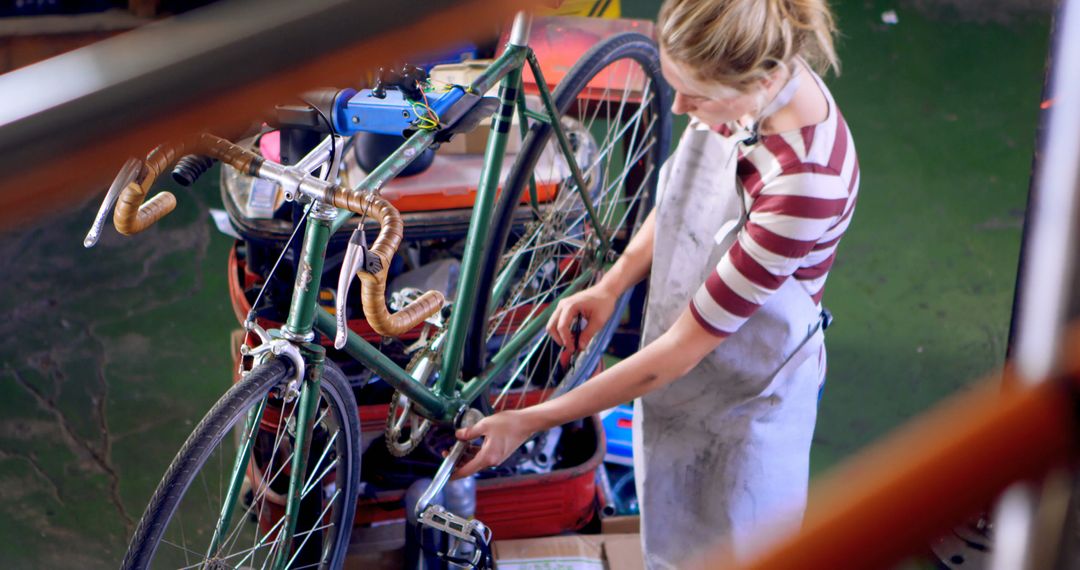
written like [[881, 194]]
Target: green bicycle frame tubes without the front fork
[[445, 400]]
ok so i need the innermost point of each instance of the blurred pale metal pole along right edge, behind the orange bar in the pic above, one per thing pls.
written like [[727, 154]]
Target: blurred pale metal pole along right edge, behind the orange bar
[[1048, 276]]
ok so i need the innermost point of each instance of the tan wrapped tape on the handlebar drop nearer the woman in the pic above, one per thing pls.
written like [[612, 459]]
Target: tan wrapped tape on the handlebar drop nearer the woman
[[373, 293]]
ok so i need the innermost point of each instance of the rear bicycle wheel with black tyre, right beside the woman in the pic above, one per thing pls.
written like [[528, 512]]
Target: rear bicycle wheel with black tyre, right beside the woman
[[615, 110]]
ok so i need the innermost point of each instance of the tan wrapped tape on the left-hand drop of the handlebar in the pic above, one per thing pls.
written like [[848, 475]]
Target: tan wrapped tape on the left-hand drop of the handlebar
[[132, 216]]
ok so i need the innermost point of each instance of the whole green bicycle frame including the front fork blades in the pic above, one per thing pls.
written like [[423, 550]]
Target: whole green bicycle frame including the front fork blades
[[449, 398]]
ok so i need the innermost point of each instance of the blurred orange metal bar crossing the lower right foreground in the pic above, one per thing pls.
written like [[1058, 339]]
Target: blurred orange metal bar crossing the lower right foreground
[[894, 499]]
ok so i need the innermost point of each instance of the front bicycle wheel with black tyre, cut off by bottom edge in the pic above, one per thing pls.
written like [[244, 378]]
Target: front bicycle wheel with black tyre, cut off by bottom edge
[[178, 528]]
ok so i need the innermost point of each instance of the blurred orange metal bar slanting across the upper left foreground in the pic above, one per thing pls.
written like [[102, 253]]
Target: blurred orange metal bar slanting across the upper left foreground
[[77, 177]]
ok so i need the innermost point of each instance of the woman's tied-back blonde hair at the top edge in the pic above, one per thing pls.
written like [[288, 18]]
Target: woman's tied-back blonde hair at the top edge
[[739, 43]]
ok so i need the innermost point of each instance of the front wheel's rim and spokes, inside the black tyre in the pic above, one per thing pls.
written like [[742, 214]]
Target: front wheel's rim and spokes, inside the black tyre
[[254, 538]]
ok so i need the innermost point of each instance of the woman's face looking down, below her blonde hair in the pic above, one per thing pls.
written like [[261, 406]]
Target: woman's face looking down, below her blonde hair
[[712, 104]]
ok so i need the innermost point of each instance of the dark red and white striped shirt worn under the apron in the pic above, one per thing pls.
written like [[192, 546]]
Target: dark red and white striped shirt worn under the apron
[[800, 188]]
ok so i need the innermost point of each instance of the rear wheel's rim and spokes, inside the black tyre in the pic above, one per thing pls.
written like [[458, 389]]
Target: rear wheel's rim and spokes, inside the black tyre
[[617, 146]]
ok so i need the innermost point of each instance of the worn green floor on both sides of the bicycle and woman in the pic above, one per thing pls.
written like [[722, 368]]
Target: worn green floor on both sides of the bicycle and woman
[[112, 355]]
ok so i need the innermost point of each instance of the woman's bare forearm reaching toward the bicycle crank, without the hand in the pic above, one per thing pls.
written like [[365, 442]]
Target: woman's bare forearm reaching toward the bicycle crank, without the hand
[[658, 364]]
